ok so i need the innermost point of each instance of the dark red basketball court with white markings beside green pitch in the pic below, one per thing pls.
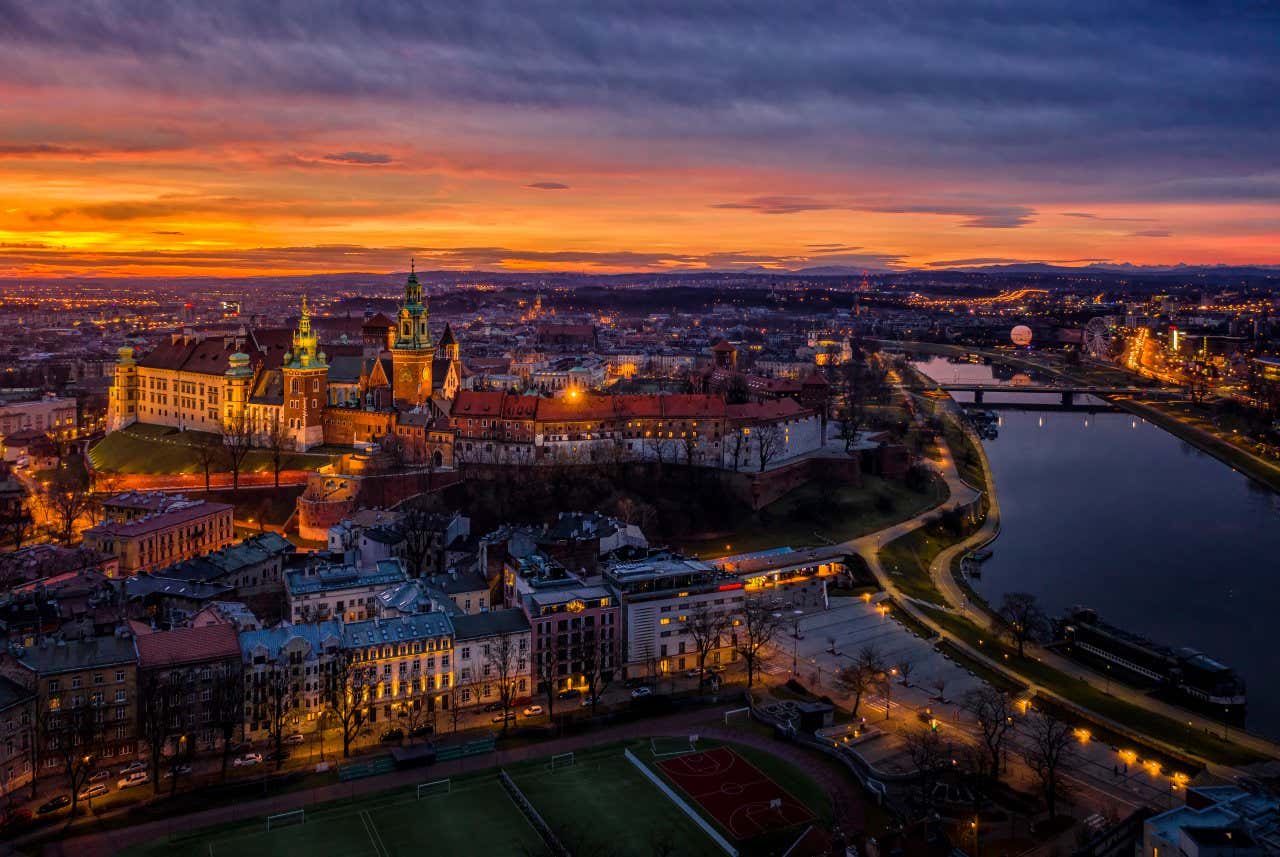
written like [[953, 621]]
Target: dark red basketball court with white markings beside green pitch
[[734, 792]]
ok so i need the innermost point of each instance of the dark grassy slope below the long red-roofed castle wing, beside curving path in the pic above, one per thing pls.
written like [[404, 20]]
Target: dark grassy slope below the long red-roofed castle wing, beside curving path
[[816, 515]]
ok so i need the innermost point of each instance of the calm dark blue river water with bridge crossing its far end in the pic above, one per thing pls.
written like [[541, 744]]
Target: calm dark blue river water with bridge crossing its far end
[[1108, 511]]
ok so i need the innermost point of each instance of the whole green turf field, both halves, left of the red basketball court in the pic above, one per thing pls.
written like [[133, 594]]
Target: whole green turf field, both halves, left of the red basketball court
[[601, 801]]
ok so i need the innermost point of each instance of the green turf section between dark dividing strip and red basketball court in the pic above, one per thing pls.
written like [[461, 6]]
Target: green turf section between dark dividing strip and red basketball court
[[602, 801]]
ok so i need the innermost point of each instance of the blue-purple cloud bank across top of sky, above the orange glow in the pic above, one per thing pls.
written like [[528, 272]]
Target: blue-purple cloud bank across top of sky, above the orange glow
[[1032, 88]]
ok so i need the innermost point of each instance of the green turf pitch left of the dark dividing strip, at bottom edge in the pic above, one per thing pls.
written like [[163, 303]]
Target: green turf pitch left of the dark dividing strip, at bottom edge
[[477, 817]]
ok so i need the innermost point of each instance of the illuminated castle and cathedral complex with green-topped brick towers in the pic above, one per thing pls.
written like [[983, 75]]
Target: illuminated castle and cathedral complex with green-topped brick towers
[[282, 387]]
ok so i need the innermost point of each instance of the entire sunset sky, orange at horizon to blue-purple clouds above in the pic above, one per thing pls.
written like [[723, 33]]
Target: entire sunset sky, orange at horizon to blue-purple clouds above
[[248, 138]]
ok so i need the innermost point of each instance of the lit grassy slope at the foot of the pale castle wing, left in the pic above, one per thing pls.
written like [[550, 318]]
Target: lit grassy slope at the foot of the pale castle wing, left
[[159, 450]]
